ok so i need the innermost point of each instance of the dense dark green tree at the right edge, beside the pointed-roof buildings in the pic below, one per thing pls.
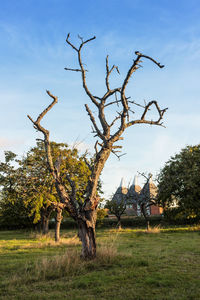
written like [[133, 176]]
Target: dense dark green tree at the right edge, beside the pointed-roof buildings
[[178, 182]]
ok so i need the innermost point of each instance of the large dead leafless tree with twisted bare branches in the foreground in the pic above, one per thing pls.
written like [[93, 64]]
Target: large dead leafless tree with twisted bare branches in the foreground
[[107, 134]]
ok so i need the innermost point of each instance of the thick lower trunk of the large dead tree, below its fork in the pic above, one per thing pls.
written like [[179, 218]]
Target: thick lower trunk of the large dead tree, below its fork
[[88, 239]]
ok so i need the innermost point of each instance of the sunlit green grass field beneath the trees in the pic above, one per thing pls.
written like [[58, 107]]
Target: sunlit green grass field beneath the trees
[[131, 264]]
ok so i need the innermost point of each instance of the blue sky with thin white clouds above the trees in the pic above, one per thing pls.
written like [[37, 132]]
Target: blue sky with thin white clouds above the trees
[[33, 55]]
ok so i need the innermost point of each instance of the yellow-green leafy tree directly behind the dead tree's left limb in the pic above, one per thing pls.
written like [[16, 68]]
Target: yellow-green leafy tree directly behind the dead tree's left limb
[[39, 189]]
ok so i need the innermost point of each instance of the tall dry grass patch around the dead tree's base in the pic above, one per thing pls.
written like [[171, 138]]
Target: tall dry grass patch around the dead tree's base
[[64, 265]]
